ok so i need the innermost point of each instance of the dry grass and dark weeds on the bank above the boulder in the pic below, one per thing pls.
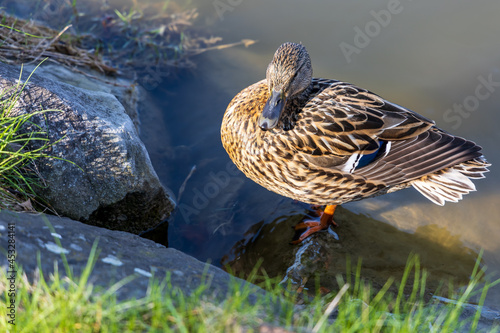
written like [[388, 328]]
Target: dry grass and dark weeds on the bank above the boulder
[[112, 41]]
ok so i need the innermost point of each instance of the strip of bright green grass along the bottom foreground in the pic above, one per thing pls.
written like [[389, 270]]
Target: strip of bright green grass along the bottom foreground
[[67, 303]]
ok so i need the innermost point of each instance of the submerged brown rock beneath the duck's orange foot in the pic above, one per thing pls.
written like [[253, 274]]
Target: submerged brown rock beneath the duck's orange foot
[[384, 251]]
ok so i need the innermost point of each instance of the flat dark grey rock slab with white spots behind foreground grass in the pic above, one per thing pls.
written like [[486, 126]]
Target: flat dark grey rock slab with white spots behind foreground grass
[[121, 254]]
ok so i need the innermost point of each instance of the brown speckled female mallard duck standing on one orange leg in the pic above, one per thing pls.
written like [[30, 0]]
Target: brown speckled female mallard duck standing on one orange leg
[[327, 142]]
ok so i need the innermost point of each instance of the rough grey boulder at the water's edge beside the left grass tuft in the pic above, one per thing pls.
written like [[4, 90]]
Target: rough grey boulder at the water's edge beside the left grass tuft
[[116, 187]]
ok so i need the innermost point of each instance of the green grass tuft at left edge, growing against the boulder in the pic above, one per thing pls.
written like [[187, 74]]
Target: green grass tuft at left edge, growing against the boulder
[[18, 173]]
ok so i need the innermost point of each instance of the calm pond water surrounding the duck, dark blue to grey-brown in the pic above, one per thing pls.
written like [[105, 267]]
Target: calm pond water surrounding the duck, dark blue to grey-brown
[[435, 58]]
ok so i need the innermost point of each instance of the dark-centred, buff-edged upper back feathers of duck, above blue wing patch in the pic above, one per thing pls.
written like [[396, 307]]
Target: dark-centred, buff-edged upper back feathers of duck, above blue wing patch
[[342, 119]]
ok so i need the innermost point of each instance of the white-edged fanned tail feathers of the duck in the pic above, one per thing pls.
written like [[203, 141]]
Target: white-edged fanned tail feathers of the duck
[[452, 183]]
